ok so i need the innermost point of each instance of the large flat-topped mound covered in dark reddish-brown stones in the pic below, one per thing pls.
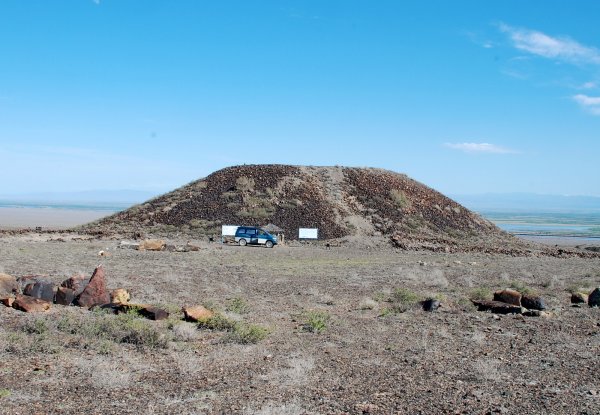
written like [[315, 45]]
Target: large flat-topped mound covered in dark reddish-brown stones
[[357, 204]]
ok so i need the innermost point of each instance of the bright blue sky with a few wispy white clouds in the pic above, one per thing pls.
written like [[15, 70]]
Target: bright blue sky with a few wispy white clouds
[[464, 96]]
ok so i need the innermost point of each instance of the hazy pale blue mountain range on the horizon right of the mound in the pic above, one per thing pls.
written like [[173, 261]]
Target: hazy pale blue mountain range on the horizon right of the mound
[[528, 202]]
